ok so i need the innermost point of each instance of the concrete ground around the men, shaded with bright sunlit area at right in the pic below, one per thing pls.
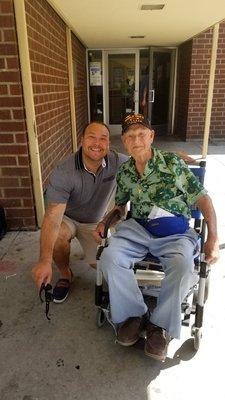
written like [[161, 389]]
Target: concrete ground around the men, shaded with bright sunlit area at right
[[69, 358]]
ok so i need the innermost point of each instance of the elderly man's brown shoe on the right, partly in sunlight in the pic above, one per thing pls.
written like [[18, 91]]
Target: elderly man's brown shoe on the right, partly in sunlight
[[156, 343]]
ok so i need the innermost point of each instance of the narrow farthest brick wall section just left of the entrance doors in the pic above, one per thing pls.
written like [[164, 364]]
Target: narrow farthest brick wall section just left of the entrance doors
[[80, 85]]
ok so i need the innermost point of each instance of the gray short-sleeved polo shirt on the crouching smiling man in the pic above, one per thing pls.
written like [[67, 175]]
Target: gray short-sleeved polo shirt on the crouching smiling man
[[87, 195]]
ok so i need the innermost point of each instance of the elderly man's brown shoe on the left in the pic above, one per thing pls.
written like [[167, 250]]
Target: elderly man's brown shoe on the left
[[129, 332]]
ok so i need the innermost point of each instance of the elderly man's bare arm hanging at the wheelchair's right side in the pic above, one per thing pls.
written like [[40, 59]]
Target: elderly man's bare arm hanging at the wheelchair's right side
[[211, 247]]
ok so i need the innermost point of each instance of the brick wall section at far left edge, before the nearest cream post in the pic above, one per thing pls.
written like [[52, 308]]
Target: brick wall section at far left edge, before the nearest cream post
[[15, 176]]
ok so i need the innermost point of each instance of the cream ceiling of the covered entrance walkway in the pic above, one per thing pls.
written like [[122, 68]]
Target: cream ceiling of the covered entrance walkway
[[107, 24]]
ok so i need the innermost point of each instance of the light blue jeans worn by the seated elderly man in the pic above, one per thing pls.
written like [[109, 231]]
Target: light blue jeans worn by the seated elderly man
[[131, 242]]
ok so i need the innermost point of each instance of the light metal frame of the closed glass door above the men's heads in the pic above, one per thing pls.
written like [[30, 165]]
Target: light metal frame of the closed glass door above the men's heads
[[117, 128]]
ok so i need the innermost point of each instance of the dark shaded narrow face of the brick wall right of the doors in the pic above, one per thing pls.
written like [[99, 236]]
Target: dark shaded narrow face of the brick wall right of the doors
[[183, 88]]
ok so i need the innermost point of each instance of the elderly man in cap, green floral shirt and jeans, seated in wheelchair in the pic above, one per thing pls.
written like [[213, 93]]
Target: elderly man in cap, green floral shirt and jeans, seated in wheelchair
[[161, 189]]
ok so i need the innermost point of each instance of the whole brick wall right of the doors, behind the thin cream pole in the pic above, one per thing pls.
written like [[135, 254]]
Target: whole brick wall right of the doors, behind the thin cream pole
[[192, 91]]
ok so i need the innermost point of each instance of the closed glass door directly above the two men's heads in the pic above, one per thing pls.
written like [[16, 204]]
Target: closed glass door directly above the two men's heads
[[121, 86]]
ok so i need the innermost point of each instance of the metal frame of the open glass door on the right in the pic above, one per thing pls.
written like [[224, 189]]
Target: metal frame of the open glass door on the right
[[171, 108]]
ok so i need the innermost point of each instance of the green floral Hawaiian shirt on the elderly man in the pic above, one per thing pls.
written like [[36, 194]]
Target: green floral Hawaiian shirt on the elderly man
[[167, 183]]
